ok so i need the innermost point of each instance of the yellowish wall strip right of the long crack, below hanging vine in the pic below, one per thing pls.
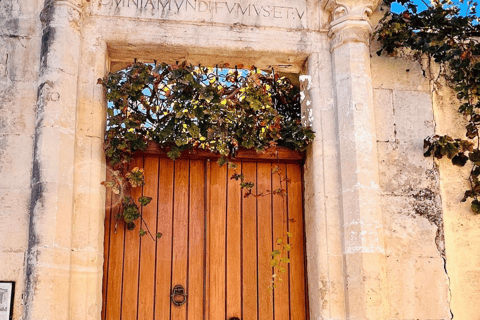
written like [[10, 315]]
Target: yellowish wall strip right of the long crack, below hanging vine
[[462, 227]]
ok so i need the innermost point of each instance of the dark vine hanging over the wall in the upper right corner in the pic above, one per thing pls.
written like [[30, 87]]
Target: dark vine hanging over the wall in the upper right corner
[[446, 33]]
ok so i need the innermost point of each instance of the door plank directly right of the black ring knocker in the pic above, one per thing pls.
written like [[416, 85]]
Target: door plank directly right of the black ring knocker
[[196, 244]]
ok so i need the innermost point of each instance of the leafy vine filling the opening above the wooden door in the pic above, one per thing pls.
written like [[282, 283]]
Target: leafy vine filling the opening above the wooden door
[[183, 107]]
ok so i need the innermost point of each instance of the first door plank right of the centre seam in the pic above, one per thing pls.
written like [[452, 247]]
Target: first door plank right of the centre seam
[[217, 228]]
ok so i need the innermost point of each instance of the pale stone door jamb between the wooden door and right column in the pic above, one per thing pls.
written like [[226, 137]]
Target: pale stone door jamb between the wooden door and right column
[[323, 219]]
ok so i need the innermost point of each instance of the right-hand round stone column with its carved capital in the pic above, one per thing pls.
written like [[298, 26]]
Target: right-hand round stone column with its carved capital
[[363, 243]]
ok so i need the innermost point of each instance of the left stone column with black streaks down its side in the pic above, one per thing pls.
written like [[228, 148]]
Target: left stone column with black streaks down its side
[[47, 263]]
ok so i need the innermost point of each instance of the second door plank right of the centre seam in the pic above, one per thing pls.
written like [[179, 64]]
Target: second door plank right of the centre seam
[[234, 299]]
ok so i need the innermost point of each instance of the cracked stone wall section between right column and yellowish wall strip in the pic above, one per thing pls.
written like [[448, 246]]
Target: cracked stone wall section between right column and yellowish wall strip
[[411, 200]]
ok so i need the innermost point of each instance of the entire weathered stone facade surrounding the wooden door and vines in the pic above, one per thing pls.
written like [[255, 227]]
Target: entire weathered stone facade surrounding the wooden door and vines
[[387, 237]]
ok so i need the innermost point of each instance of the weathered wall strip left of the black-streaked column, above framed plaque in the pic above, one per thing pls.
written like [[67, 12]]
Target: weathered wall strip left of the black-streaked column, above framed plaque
[[20, 41]]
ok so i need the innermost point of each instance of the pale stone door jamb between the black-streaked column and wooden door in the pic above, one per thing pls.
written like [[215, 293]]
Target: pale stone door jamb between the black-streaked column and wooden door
[[89, 195]]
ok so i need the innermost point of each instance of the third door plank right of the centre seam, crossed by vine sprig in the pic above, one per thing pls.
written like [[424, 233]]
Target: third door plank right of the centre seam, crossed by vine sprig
[[249, 247]]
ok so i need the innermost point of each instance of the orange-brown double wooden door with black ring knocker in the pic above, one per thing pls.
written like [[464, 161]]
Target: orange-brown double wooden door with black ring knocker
[[215, 242]]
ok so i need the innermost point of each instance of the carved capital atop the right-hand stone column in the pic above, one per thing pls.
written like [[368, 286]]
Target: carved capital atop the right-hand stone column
[[350, 20]]
